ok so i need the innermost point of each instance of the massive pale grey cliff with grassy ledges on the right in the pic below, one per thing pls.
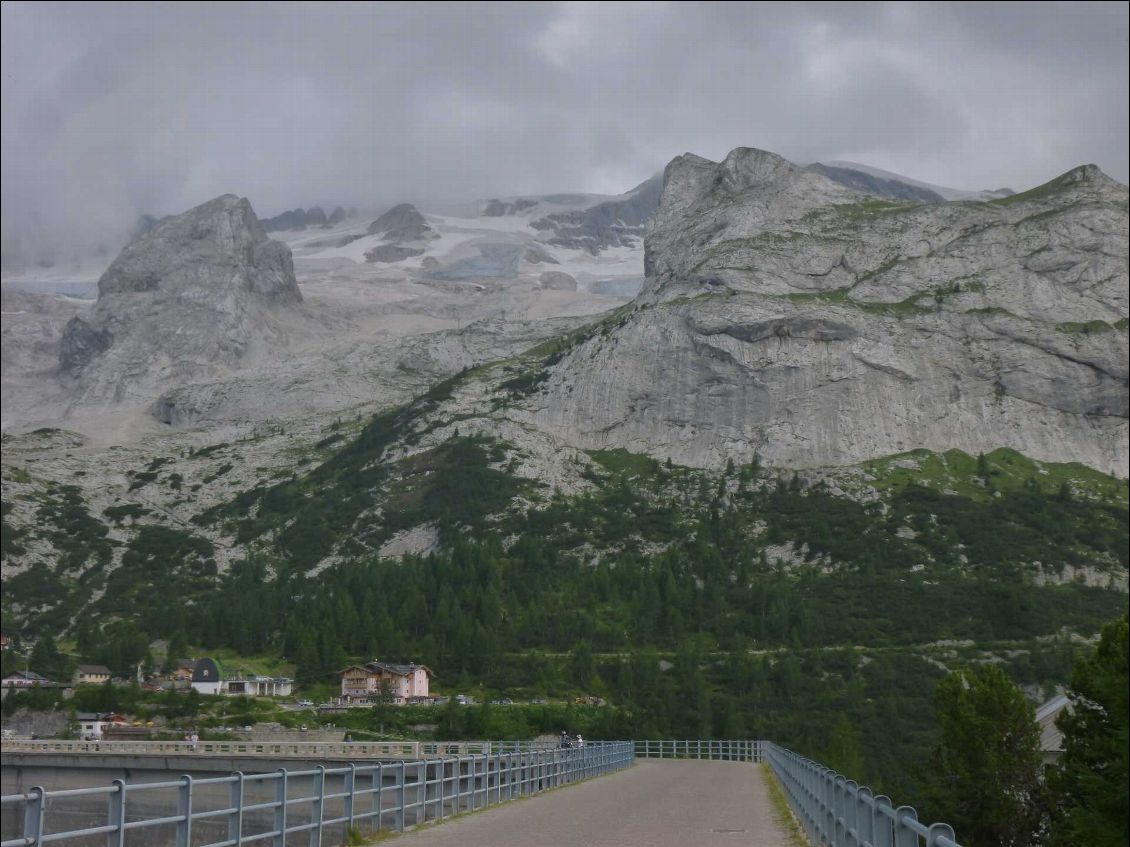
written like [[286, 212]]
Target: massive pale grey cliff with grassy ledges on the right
[[789, 317]]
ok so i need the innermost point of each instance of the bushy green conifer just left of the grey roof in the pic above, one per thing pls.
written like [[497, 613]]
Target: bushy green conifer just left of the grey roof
[[985, 775]]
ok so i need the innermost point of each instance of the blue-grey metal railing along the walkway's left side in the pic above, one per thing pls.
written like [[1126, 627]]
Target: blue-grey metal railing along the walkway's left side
[[247, 809]]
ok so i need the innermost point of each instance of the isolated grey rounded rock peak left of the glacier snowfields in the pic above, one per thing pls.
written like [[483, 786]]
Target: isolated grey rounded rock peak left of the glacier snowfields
[[196, 295]]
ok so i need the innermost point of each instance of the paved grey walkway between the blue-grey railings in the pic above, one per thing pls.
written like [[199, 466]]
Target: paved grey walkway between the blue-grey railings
[[683, 804]]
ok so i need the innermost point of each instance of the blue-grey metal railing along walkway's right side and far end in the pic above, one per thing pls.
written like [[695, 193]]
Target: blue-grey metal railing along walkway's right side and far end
[[833, 810]]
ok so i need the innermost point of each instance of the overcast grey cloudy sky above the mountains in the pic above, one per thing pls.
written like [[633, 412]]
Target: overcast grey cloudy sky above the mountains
[[112, 110]]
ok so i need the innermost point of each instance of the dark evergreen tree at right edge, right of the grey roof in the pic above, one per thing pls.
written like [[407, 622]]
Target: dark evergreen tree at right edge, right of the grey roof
[[1092, 779]]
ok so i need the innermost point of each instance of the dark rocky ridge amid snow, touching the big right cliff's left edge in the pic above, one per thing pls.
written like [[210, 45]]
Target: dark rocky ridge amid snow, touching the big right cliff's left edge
[[612, 224]]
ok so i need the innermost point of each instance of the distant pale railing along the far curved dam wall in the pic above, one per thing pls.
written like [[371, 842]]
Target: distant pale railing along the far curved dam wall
[[260, 749]]
